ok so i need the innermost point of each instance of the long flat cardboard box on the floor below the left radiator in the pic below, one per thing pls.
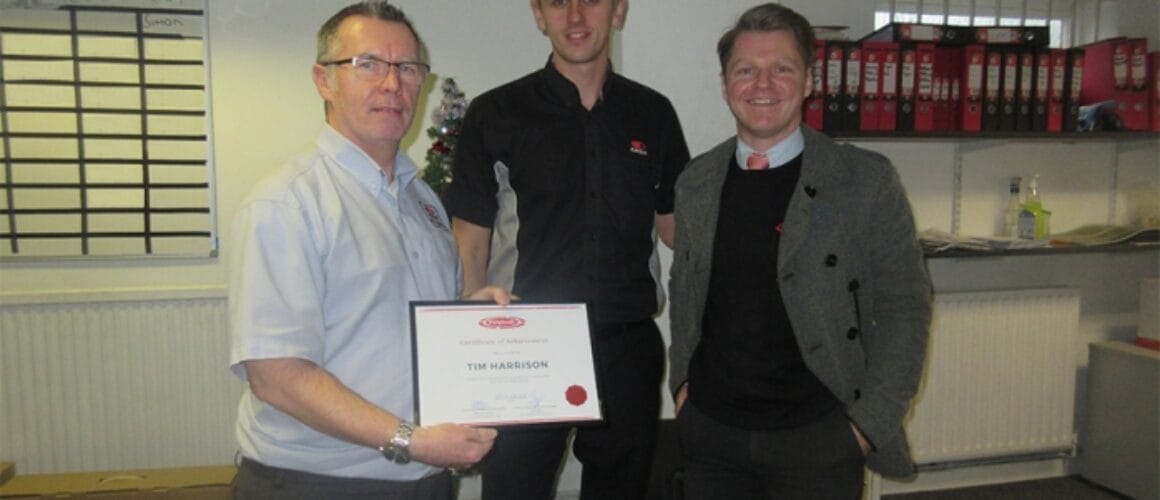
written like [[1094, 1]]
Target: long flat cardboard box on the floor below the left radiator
[[206, 483]]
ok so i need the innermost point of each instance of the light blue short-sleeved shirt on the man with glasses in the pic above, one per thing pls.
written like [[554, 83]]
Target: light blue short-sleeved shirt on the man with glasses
[[327, 257]]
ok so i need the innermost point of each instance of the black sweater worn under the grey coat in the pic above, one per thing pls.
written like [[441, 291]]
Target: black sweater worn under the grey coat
[[748, 371]]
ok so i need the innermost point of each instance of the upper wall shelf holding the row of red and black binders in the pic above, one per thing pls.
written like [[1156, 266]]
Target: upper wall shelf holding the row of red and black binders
[[1054, 137]]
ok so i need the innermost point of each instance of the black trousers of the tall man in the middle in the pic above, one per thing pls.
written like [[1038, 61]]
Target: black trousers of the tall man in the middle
[[617, 454]]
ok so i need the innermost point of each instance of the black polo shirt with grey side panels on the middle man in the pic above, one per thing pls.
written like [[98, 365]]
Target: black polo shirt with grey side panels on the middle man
[[570, 193]]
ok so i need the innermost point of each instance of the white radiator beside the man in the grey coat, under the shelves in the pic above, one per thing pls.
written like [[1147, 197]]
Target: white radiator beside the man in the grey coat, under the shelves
[[1000, 378]]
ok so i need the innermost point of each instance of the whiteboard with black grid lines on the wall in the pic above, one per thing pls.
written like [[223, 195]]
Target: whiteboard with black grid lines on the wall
[[105, 128]]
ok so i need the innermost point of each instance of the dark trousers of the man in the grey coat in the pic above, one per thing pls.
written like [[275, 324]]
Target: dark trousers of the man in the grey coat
[[818, 461]]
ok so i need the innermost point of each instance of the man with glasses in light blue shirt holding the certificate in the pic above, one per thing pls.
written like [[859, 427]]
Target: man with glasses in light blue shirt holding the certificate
[[327, 256]]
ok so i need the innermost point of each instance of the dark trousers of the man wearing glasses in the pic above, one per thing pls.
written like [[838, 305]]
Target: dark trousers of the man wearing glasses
[[256, 481]]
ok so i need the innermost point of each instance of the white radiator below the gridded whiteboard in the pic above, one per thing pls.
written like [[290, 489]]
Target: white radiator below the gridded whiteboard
[[114, 386]]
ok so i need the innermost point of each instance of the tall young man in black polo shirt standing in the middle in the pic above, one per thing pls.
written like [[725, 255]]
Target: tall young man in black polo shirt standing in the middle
[[562, 182]]
